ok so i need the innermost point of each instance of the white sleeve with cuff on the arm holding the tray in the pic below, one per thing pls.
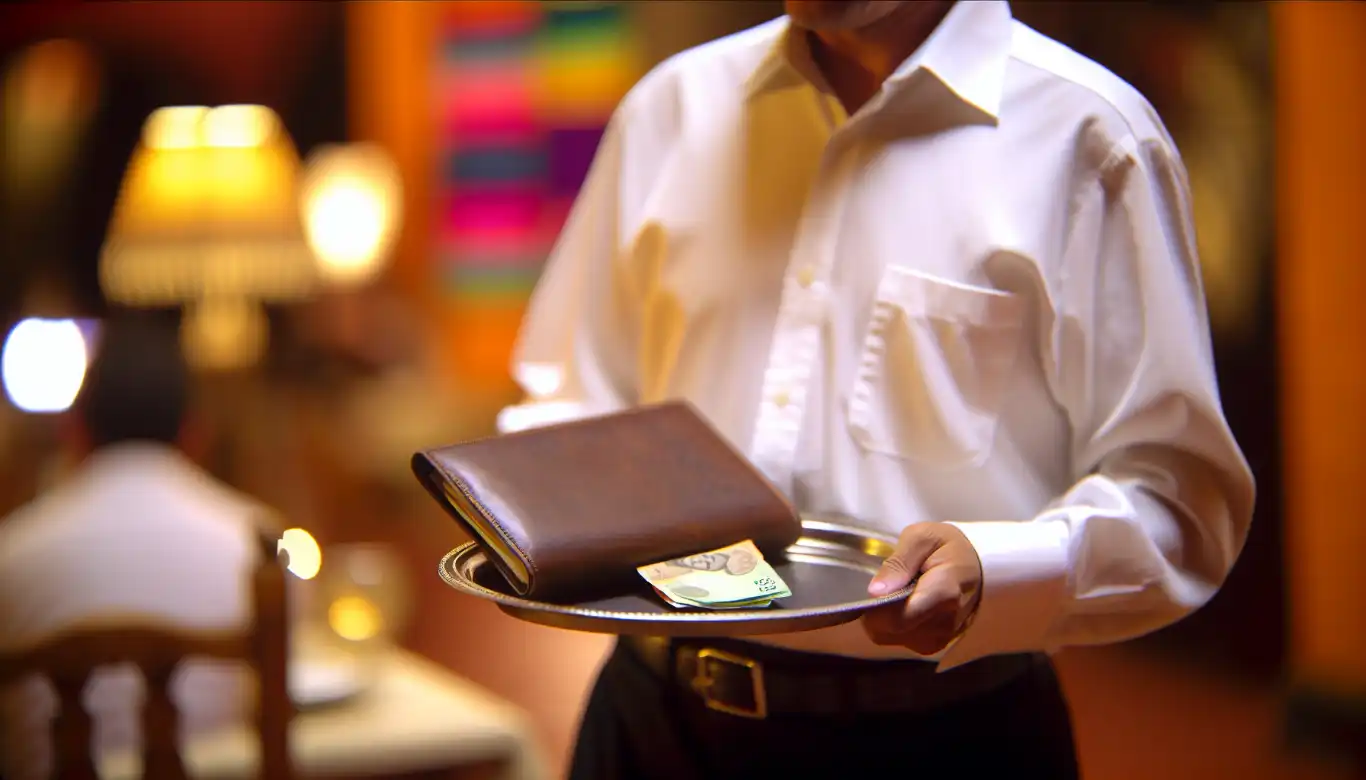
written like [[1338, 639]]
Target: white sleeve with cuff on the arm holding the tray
[[1163, 498]]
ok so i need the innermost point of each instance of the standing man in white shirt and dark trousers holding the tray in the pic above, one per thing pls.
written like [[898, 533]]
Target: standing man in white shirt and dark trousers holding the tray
[[936, 274]]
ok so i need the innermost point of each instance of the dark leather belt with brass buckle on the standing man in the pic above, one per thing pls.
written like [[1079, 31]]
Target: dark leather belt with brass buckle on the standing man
[[756, 681]]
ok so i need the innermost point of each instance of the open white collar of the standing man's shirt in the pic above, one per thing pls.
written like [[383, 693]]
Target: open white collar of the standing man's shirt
[[968, 54]]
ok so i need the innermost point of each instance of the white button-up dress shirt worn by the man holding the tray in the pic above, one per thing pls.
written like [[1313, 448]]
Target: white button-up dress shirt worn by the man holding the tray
[[977, 300]]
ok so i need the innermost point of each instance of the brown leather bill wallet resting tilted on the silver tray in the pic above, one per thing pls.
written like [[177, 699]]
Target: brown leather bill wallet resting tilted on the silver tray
[[570, 512]]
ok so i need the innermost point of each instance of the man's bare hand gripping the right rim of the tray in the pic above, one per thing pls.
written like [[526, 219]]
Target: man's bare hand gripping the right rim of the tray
[[945, 598]]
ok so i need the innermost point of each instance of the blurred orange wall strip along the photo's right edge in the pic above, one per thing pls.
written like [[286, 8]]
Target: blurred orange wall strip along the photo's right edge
[[1322, 277]]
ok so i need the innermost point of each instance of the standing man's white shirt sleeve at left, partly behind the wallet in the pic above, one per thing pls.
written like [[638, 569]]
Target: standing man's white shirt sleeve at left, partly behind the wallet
[[574, 356]]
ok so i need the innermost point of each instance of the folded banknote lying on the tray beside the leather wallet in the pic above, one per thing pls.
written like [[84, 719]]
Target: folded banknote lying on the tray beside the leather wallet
[[736, 577]]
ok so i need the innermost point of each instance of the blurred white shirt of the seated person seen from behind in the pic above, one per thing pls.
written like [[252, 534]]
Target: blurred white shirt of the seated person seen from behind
[[137, 532]]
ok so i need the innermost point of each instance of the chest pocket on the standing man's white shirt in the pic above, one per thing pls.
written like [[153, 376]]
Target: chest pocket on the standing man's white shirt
[[935, 368]]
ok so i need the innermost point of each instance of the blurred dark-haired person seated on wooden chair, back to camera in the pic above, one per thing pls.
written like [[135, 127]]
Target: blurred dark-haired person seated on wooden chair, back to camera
[[139, 533]]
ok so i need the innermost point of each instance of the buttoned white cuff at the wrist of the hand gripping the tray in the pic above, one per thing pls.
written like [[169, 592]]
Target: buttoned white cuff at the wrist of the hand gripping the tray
[[1025, 572]]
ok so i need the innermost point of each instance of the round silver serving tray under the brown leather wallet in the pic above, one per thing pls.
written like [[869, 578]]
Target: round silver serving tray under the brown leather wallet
[[828, 570]]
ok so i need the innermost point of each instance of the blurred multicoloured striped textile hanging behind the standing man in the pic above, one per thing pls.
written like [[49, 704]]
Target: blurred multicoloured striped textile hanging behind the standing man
[[524, 92]]
